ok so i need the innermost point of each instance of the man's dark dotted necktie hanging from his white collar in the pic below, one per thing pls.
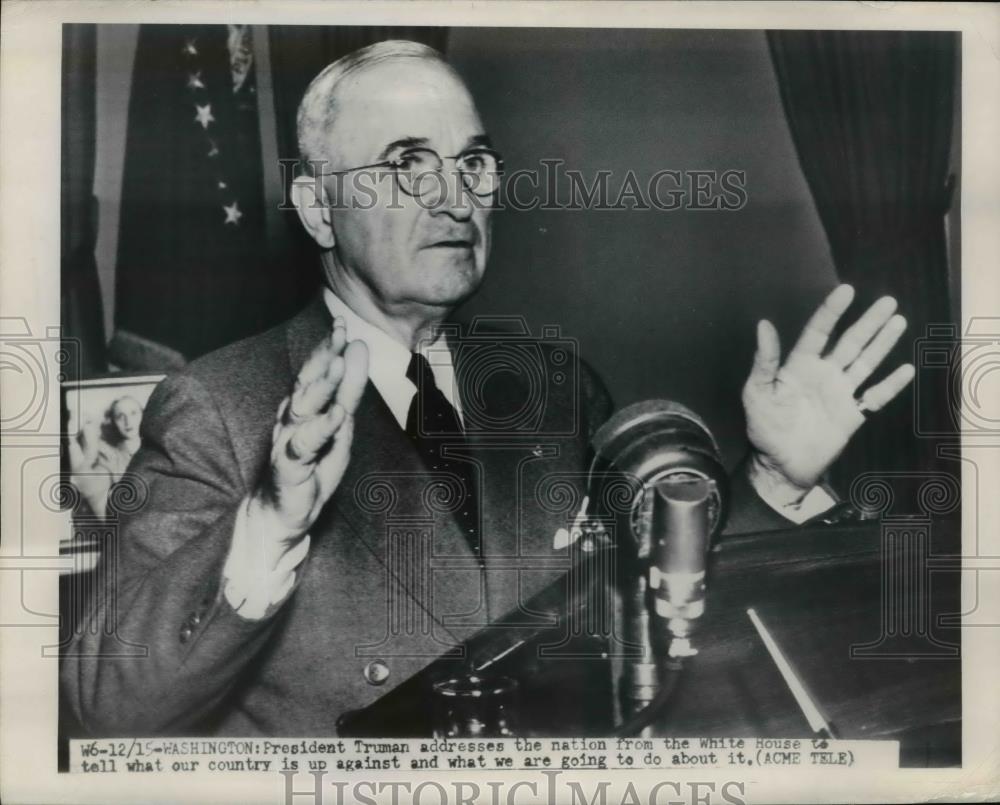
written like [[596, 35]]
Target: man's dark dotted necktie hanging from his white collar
[[432, 423]]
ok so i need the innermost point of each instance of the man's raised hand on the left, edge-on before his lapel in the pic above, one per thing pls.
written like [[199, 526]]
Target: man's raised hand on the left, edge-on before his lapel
[[311, 442]]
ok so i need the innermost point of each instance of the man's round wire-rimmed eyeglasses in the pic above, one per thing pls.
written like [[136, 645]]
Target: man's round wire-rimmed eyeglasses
[[419, 172]]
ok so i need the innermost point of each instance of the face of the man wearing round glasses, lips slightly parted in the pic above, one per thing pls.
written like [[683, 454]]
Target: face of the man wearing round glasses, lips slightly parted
[[404, 250]]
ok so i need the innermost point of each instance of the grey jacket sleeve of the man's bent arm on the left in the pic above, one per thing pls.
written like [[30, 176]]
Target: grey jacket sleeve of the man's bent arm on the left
[[160, 646]]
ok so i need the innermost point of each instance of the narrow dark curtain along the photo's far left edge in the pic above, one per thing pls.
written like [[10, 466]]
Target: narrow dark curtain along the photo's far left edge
[[82, 315]]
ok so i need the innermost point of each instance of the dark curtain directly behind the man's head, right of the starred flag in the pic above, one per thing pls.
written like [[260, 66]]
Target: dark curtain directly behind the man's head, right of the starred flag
[[298, 54]]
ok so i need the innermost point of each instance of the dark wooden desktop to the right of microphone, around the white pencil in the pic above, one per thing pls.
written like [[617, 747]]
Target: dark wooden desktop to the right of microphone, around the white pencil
[[856, 610]]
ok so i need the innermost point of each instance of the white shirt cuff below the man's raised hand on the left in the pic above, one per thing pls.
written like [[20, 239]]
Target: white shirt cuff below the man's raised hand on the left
[[260, 571]]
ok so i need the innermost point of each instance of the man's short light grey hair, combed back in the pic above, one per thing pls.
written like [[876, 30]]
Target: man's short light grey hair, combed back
[[318, 109]]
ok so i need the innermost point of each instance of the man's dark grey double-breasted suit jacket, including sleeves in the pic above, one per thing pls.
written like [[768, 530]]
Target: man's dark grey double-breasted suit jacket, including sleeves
[[390, 583]]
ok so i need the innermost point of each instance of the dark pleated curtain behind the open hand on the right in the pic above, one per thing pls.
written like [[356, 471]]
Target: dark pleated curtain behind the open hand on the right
[[871, 115]]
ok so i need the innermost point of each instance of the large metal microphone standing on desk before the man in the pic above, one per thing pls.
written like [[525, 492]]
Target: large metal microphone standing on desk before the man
[[677, 504]]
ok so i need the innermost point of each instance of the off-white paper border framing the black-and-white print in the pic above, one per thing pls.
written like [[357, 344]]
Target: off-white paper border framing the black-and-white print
[[29, 283]]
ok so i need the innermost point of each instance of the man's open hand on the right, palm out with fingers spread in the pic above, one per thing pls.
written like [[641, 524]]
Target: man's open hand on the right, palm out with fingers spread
[[801, 415]]
